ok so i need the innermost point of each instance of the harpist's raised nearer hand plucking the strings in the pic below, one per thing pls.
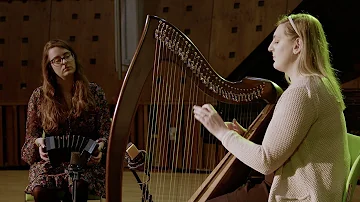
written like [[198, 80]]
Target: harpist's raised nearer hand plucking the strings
[[211, 120]]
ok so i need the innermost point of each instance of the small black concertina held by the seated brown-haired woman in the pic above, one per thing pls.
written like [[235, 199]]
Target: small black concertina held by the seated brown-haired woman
[[59, 148]]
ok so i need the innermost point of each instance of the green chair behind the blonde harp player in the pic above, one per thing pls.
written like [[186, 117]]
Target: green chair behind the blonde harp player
[[351, 182]]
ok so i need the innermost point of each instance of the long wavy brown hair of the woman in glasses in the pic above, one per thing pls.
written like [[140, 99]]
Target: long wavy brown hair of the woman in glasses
[[53, 108]]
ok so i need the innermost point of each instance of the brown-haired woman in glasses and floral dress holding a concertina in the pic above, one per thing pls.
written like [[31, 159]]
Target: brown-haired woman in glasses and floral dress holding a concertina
[[65, 104]]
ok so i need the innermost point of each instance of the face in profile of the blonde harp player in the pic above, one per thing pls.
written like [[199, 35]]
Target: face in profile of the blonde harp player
[[281, 48]]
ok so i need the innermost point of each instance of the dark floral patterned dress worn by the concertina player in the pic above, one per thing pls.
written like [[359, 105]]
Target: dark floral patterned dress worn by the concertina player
[[94, 124]]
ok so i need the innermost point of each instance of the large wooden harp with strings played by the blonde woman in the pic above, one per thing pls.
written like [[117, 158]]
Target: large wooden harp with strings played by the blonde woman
[[179, 76]]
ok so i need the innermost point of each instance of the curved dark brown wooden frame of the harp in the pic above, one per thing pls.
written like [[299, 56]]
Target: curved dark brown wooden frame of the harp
[[127, 103]]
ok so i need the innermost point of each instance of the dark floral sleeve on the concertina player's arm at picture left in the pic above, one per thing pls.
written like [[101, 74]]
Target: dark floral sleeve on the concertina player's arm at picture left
[[29, 151]]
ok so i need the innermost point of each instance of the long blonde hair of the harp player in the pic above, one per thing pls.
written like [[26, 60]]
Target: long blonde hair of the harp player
[[314, 57]]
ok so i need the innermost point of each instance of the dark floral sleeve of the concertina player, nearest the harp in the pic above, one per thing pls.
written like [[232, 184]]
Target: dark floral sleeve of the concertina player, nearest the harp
[[103, 116]]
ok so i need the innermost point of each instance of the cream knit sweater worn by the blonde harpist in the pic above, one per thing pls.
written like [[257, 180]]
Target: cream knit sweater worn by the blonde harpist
[[305, 145]]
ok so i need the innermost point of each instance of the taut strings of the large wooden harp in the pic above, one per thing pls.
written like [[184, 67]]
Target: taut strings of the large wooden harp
[[176, 142]]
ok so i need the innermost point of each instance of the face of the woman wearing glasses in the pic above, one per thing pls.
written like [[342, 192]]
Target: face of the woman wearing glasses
[[62, 62]]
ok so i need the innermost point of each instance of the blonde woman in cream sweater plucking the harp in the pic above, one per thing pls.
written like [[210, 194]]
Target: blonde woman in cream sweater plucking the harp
[[305, 144]]
